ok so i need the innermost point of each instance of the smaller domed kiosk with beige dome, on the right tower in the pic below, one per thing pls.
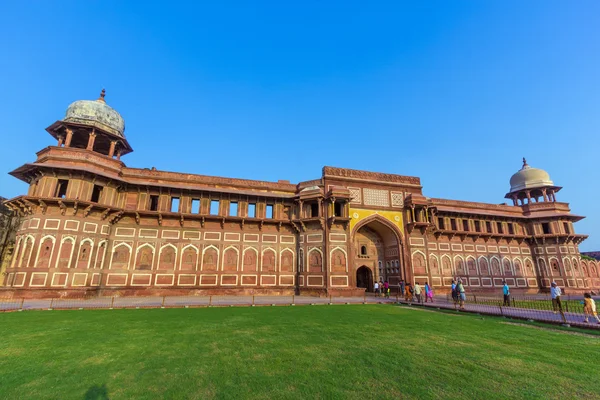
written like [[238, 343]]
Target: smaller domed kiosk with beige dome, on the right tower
[[531, 185]]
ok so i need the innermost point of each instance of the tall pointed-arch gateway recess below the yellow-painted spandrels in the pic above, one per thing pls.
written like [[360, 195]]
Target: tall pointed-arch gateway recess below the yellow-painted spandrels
[[377, 252]]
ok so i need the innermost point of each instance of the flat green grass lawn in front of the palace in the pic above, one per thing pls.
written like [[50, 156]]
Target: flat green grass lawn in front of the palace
[[323, 352]]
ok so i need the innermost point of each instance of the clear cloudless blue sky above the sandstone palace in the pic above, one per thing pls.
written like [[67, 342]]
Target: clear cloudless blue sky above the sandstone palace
[[453, 92]]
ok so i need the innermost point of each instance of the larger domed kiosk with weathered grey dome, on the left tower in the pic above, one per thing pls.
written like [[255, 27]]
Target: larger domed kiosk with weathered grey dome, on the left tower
[[92, 125]]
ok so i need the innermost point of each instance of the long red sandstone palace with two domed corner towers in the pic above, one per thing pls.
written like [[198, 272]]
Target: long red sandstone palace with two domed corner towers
[[92, 224]]
